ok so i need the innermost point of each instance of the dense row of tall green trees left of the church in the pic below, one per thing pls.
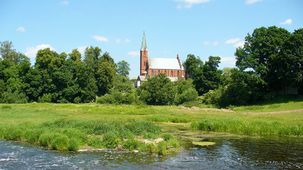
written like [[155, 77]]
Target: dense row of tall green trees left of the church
[[54, 77]]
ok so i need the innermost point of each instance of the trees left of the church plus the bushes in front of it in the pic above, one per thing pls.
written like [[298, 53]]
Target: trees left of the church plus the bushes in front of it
[[69, 78]]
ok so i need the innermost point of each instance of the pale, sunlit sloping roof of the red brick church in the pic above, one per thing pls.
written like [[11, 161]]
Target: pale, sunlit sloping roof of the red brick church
[[164, 63]]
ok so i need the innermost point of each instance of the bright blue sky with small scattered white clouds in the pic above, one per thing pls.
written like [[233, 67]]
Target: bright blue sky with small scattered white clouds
[[200, 27]]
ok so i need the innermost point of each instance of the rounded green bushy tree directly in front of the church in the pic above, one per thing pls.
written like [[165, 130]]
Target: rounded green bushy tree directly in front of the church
[[158, 90]]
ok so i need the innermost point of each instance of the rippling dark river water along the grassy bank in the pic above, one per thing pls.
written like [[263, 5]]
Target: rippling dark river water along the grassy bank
[[226, 154]]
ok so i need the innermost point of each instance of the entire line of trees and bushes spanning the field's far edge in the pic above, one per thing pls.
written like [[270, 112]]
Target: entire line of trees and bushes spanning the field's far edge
[[269, 64]]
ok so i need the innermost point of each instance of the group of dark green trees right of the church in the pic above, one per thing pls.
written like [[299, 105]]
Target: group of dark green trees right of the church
[[270, 64]]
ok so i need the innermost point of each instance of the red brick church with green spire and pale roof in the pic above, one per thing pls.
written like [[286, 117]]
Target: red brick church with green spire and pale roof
[[149, 67]]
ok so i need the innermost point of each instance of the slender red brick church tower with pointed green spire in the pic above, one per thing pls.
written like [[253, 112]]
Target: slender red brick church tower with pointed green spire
[[143, 56]]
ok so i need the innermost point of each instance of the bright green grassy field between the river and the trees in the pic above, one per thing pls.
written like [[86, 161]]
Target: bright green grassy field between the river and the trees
[[140, 127]]
